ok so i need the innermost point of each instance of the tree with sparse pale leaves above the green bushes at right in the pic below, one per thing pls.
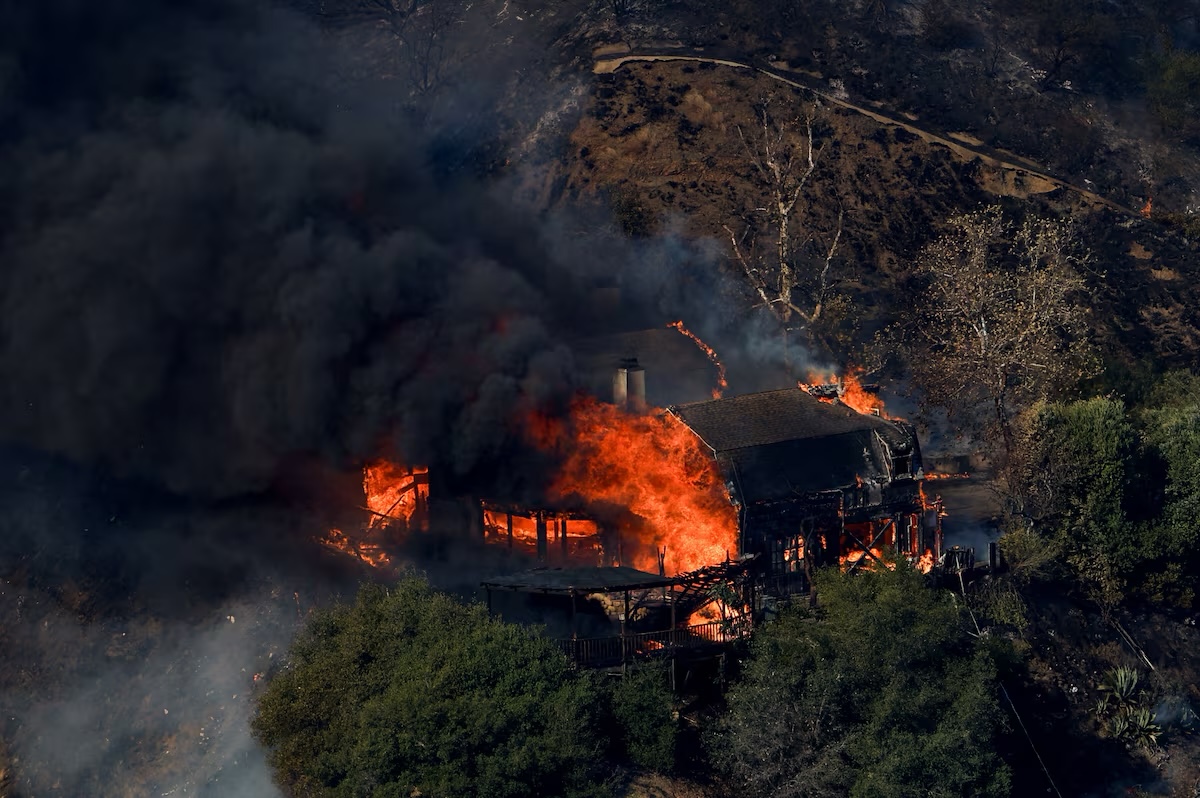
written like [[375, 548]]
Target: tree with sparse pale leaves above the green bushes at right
[[1003, 321]]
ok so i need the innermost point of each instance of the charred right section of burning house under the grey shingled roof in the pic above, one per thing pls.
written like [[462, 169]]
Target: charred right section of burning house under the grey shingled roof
[[817, 482]]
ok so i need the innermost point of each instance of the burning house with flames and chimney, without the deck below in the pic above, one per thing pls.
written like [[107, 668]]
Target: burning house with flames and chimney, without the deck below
[[795, 479]]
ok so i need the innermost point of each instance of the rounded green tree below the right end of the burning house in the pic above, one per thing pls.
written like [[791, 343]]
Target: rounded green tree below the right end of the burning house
[[879, 694]]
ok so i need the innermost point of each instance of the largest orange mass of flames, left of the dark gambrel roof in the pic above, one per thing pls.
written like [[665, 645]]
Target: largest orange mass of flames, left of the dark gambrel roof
[[655, 467]]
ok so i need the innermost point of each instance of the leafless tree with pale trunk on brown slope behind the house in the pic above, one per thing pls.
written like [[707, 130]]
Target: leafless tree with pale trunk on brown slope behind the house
[[789, 279]]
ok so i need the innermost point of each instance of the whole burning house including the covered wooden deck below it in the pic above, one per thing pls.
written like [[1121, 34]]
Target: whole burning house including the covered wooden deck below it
[[662, 529]]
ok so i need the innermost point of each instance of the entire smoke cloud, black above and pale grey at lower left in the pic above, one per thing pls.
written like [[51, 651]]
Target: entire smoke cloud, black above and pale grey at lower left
[[227, 257]]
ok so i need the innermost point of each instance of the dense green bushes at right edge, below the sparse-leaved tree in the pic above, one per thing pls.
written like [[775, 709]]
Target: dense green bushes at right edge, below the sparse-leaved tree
[[1119, 491]]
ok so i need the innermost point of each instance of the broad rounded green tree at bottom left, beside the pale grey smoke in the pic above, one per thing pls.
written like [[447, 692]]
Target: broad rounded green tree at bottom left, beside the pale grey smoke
[[410, 692]]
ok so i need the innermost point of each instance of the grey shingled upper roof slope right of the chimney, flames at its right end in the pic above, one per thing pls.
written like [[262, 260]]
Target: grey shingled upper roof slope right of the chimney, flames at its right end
[[776, 417]]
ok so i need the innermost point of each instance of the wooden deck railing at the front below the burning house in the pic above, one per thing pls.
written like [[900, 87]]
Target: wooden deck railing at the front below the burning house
[[596, 652]]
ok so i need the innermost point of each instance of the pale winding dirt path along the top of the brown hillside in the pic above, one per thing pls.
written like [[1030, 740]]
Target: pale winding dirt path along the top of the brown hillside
[[610, 59]]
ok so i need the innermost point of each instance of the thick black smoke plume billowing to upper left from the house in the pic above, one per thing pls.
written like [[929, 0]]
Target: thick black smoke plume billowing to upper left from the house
[[219, 261]]
